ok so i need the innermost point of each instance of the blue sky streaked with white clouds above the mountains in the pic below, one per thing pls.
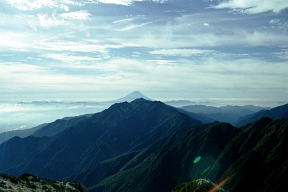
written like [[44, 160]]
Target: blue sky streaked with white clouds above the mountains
[[226, 50]]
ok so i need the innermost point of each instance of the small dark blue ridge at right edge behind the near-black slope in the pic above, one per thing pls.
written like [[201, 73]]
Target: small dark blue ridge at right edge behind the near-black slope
[[274, 113]]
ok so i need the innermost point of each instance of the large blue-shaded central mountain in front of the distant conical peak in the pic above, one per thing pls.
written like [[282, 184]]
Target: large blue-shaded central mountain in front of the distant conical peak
[[122, 128]]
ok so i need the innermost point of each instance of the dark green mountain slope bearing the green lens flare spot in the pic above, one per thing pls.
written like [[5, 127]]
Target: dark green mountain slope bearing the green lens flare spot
[[180, 157]]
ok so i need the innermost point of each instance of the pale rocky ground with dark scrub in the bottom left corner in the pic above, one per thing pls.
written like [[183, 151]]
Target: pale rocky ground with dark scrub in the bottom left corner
[[29, 183]]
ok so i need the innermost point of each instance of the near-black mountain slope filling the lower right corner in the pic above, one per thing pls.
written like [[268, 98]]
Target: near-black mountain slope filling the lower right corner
[[257, 157]]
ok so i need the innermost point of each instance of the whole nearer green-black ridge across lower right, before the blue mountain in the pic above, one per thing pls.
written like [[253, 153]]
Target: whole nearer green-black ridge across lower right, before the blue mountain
[[253, 157]]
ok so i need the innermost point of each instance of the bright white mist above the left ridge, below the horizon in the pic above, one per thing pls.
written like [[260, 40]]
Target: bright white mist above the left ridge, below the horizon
[[26, 115]]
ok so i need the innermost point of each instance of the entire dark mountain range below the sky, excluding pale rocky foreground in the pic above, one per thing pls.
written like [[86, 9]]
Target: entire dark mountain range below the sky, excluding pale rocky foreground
[[146, 145]]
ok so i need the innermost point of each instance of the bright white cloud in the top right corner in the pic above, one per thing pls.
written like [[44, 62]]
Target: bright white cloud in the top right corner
[[254, 6]]
